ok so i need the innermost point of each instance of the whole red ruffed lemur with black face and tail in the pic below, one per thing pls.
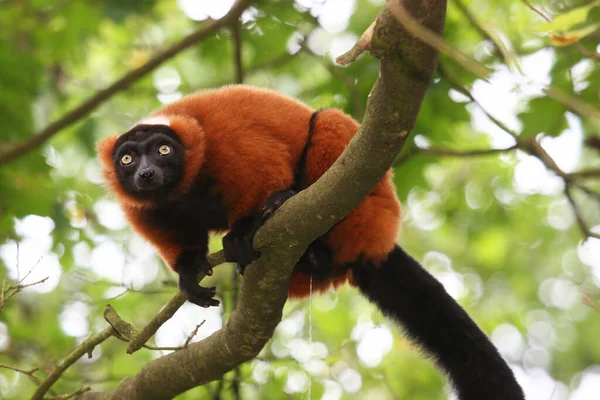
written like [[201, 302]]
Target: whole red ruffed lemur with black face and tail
[[226, 159]]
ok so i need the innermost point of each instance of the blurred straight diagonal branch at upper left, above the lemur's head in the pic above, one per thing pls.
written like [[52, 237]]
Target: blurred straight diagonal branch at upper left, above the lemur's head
[[123, 83]]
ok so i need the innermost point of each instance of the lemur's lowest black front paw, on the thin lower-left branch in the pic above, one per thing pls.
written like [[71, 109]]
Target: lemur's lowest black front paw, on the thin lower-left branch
[[189, 264]]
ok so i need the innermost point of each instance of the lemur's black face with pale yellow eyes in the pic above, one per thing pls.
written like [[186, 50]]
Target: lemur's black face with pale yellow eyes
[[148, 161]]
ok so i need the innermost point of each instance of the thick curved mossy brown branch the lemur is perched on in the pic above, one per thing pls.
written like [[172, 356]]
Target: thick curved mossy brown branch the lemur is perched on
[[407, 66]]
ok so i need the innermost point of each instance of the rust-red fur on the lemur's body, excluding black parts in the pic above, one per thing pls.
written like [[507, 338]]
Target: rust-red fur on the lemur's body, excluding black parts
[[228, 135]]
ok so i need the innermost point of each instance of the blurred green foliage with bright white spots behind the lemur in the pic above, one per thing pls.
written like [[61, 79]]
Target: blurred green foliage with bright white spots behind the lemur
[[496, 229]]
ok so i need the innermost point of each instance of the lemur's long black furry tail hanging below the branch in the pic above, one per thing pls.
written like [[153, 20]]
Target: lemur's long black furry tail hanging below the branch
[[406, 292]]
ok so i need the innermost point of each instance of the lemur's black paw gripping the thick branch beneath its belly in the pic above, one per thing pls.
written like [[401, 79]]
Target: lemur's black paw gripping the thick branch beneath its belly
[[237, 244]]
